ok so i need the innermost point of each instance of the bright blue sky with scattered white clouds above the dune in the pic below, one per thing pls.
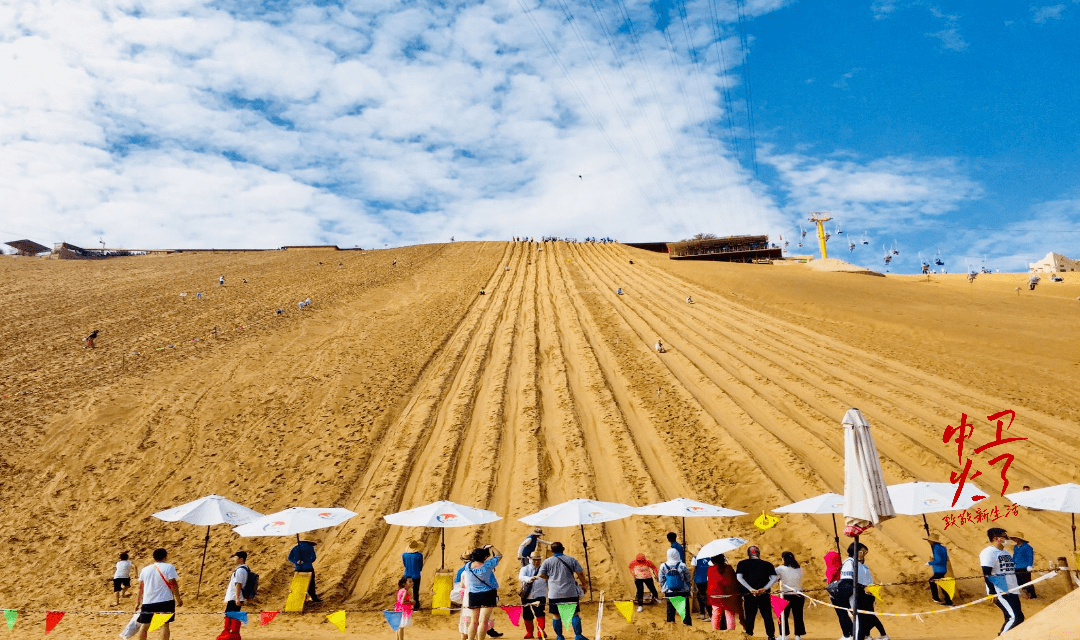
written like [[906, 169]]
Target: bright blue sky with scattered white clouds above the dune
[[946, 127]]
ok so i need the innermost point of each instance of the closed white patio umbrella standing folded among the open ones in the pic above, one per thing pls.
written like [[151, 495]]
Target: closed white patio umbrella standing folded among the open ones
[[867, 500]]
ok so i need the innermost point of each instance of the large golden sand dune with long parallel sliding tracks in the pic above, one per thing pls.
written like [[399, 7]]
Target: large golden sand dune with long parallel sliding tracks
[[402, 386]]
